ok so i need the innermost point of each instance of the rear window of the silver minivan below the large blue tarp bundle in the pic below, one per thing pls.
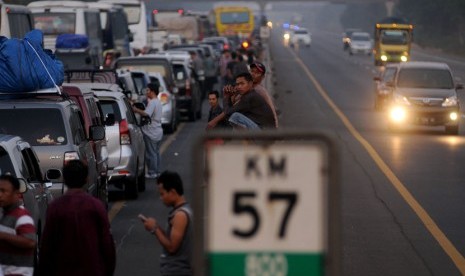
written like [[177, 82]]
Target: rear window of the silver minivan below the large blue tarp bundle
[[38, 126]]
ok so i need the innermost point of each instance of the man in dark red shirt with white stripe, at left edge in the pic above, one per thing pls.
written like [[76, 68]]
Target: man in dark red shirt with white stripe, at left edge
[[17, 231]]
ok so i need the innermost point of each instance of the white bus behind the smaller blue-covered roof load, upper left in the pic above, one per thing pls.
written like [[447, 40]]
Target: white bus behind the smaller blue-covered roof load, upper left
[[68, 17]]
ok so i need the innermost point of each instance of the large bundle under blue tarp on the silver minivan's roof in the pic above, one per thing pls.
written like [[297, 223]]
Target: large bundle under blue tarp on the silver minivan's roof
[[21, 69]]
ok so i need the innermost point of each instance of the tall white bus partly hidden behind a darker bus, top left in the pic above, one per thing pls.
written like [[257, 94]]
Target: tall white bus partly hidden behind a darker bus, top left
[[138, 22]]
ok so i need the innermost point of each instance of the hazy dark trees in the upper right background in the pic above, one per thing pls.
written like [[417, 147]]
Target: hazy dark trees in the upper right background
[[437, 23]]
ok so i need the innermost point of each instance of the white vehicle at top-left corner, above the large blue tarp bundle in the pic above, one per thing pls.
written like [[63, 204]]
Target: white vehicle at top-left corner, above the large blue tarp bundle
[[15, 20]]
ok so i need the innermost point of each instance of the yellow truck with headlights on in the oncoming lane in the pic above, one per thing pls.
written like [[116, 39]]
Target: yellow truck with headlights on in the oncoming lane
[[393, 39]]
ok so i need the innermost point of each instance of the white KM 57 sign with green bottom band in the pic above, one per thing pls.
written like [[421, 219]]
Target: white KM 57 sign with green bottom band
[[266, 207]]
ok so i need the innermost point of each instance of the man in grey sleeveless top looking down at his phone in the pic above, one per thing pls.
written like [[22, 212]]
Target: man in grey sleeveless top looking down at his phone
[[177, 239]]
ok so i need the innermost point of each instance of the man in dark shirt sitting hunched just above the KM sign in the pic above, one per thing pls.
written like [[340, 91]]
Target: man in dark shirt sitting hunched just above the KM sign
[[250, 112]]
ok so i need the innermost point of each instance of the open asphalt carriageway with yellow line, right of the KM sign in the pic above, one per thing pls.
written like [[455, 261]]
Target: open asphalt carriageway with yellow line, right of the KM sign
[[382, 235]]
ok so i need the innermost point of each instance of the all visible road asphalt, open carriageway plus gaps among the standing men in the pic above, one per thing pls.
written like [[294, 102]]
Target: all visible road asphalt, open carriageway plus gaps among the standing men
[[382, 233]]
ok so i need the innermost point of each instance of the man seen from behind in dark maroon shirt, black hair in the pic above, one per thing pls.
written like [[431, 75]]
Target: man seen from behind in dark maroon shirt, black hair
[[77, 239]]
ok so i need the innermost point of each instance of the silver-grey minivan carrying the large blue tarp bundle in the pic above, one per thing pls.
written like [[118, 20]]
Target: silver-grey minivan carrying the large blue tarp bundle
[[55, 128]]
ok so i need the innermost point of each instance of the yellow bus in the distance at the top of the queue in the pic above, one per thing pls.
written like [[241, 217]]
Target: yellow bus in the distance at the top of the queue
[[234, 21]]
